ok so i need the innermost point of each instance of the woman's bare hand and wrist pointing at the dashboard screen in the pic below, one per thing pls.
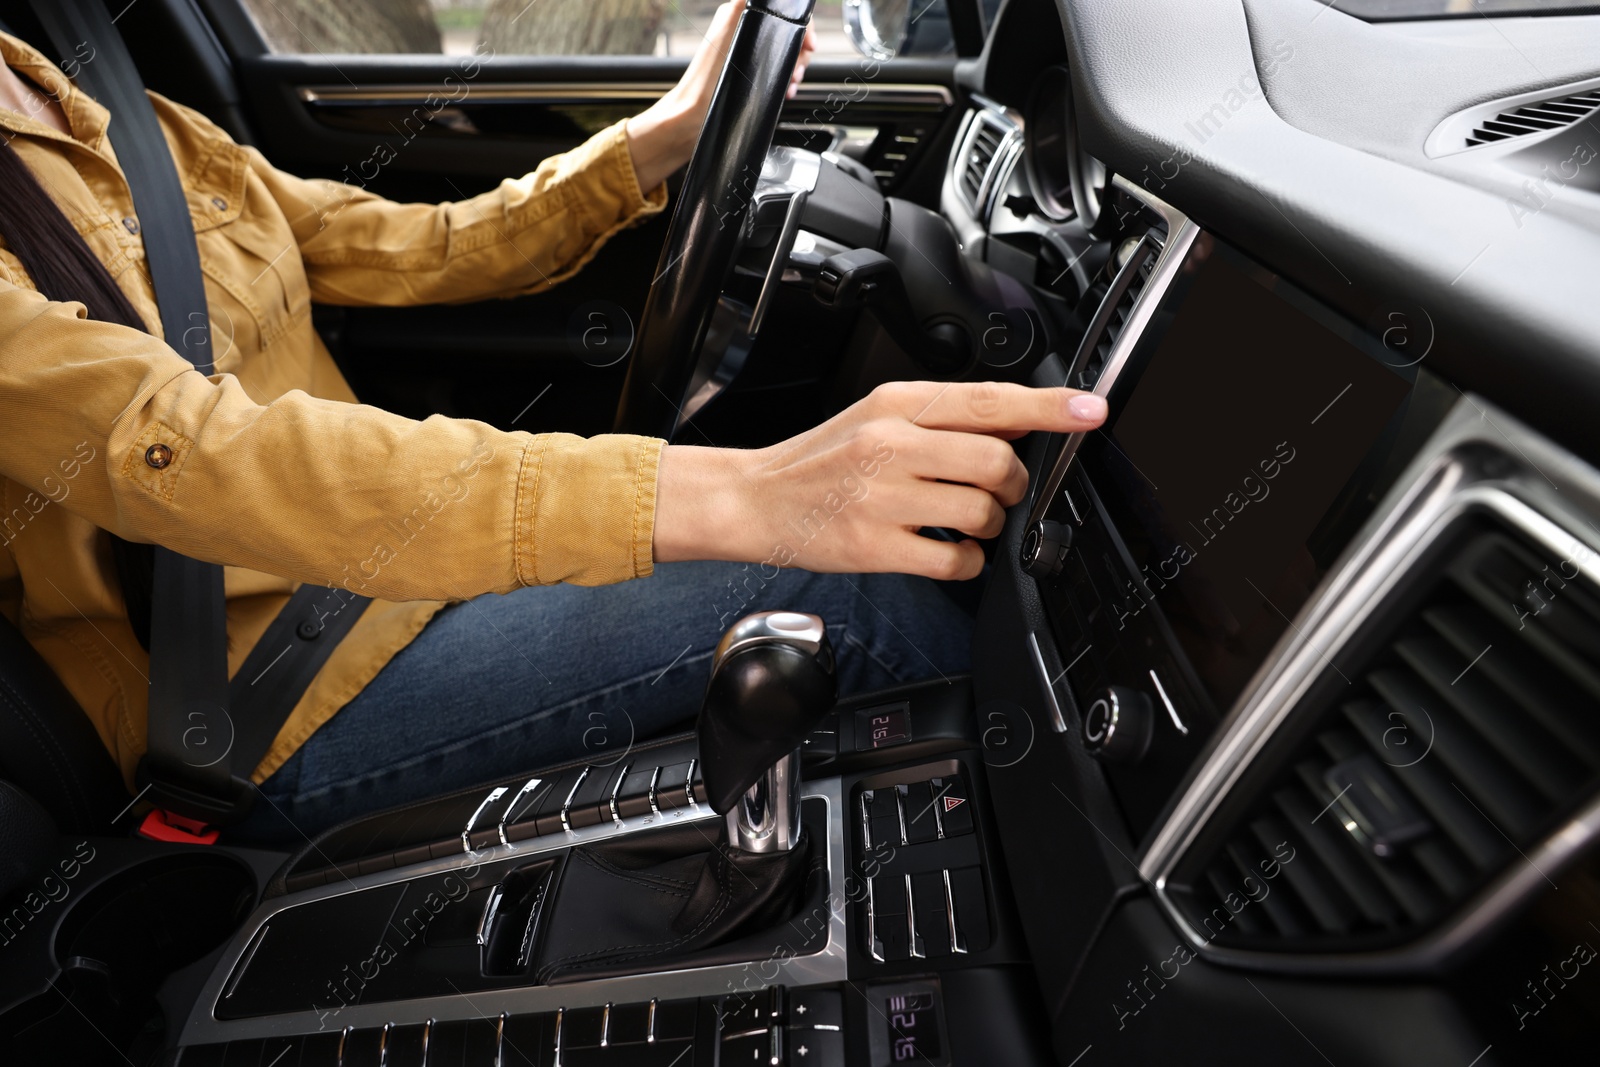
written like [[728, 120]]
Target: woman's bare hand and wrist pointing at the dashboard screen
[[852, 494]]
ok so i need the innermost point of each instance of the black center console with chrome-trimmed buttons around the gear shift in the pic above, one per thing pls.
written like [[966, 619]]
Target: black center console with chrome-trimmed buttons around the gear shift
[[540, 921]]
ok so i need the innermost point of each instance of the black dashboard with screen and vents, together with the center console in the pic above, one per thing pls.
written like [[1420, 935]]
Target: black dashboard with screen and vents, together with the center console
[[1282, 738]]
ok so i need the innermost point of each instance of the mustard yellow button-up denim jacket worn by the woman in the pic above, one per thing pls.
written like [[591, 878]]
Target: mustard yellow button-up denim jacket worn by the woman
[[276, 471]]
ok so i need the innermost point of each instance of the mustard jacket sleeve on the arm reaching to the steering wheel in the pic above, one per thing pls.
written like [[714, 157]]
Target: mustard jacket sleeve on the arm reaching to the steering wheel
[[521, 238]]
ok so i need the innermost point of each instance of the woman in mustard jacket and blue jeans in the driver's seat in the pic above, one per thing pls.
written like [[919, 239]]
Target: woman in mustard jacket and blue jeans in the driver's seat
[[274, 471]]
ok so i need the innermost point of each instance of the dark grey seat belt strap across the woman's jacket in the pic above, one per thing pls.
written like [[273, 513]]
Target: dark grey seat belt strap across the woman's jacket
[[204, 740]]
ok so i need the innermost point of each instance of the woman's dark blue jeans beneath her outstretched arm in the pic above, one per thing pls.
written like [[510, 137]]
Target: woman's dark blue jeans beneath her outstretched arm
[[500, 685]]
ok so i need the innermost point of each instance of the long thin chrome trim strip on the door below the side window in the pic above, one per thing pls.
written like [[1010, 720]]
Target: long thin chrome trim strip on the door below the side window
[[898, 94]]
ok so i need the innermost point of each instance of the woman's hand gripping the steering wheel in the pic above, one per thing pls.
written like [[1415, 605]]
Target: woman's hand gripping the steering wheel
[[663, 137]]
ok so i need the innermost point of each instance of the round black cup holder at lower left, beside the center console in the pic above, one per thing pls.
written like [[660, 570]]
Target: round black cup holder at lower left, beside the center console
[[158, 917]]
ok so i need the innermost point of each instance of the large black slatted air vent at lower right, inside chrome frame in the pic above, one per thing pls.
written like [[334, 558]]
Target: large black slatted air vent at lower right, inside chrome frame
[[1473, 732]]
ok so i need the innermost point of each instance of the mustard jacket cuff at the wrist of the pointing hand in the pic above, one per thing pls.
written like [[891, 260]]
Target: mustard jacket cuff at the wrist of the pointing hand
[[586, 510]]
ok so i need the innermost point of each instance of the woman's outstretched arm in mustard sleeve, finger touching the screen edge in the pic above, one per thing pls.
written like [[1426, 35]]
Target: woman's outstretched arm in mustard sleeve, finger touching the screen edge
[[444, 510]]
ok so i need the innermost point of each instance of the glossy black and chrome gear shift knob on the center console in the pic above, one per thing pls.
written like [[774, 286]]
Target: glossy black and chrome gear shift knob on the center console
[[772, 681]]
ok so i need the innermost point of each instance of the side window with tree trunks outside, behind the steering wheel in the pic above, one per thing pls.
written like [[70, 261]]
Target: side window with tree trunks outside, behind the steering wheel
[[550, 28]]
